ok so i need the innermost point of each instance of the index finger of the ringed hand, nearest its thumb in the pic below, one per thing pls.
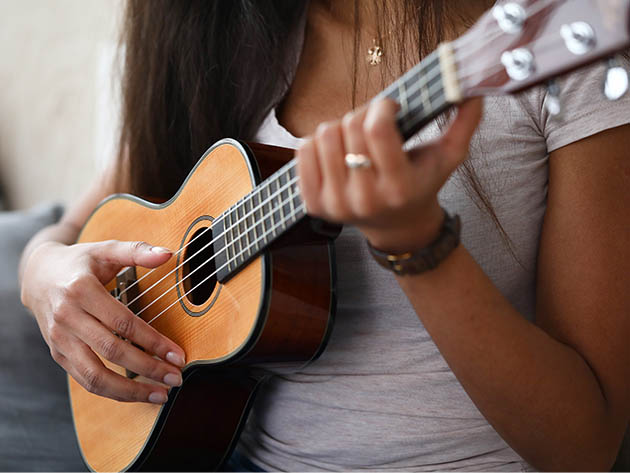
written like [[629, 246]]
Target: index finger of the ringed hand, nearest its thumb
[[383, 140]]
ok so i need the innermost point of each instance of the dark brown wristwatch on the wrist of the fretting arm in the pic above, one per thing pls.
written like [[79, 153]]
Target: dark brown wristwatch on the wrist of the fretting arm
[[427, 258]]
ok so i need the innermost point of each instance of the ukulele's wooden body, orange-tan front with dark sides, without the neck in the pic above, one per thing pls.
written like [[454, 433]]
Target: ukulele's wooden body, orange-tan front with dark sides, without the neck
[[276, 311]]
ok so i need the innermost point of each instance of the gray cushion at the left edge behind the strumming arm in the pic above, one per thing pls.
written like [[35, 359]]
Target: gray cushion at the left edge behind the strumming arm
[[36, 430]]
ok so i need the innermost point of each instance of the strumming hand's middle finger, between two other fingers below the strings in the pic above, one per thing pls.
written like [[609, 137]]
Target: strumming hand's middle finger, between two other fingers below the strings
[[102, 341]]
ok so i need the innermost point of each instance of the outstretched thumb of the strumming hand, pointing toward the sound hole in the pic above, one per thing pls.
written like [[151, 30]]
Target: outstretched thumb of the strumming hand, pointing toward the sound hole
[[118, 254]]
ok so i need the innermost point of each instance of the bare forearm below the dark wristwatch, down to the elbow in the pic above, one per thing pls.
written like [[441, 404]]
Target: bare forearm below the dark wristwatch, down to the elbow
[[539, 394]]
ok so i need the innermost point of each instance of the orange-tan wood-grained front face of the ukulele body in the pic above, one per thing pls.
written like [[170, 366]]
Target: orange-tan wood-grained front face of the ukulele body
[[220, 179]]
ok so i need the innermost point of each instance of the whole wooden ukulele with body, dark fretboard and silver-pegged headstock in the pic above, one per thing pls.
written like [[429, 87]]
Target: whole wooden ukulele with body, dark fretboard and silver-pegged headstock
[[251, 285]]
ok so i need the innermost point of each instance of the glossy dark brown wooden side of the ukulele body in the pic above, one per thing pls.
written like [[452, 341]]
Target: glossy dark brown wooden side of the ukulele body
[[207, 414]]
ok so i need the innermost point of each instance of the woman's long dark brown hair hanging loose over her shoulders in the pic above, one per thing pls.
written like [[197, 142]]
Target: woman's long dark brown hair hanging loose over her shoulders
[[196, 71]]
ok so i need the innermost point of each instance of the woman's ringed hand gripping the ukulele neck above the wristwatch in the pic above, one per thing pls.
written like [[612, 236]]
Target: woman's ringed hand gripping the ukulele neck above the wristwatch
[[393, 201]]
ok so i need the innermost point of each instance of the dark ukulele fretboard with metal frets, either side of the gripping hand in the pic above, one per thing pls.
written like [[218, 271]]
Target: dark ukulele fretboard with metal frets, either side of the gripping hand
[[275, 206]]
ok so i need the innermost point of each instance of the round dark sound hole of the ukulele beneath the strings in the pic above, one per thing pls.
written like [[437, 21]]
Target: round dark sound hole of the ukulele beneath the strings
[[199, 267]]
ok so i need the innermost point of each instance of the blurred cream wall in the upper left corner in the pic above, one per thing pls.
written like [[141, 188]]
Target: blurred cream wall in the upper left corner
[[58, 99]]
